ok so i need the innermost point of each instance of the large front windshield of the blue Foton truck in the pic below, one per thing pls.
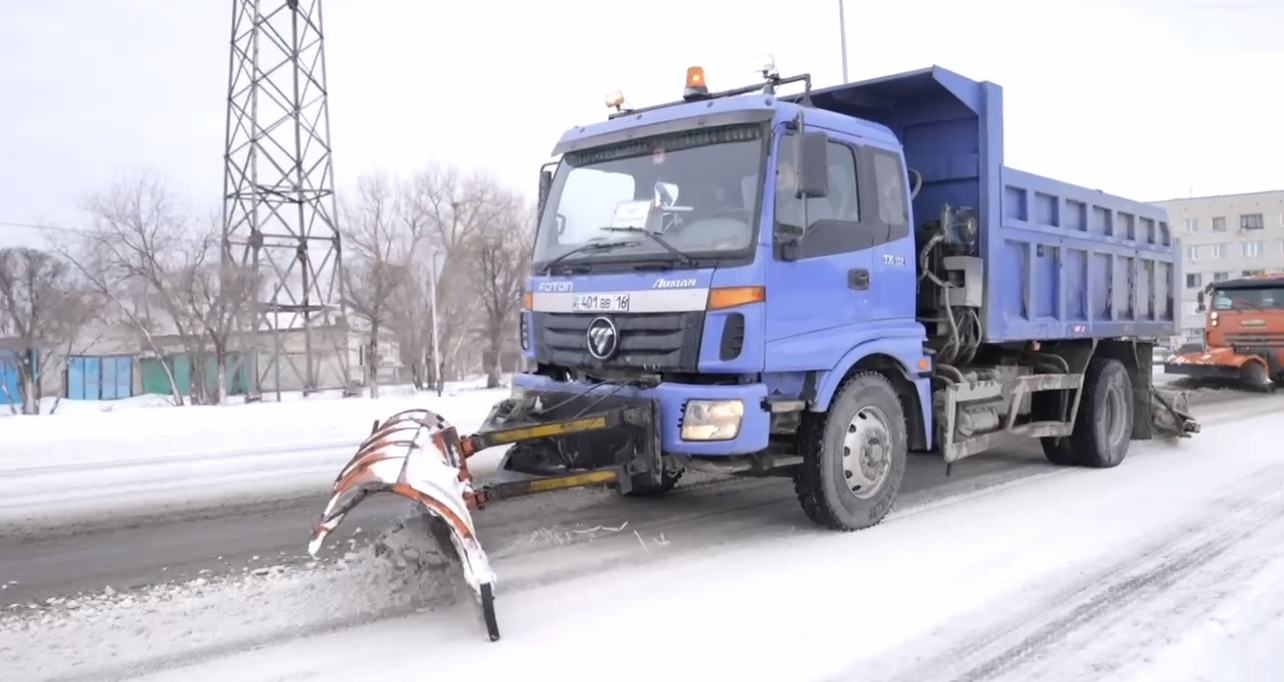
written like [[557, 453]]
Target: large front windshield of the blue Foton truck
[[698, 191]]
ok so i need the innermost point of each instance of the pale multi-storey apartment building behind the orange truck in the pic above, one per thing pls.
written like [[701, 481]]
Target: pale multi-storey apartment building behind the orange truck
[[1223, 238]]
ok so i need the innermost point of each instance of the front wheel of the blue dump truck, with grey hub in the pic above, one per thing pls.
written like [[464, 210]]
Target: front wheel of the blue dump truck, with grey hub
[[855, 457]]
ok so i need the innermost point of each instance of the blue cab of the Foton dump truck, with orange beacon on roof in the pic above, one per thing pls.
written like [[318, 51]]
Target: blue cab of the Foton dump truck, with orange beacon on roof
[[661, 234]]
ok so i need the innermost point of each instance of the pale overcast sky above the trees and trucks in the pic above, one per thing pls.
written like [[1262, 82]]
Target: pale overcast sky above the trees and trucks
[[1150, 100]]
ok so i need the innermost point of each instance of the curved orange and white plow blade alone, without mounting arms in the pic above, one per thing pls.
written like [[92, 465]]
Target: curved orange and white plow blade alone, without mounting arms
[[417, 455]]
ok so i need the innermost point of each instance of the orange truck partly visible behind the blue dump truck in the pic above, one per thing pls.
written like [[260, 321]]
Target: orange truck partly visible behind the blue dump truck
[[1244, 335]]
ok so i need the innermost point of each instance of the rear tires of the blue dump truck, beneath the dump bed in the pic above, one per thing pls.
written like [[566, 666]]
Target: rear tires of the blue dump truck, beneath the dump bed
[[1104, 427]]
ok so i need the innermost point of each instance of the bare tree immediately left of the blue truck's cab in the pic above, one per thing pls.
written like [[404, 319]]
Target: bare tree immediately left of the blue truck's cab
[[501, 254]]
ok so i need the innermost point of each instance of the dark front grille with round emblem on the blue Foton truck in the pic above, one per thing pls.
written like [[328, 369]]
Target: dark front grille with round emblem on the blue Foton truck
[[654, 342]]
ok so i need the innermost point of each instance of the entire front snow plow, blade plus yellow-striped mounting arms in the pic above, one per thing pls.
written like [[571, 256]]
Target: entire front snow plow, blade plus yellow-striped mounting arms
[[421, 457]]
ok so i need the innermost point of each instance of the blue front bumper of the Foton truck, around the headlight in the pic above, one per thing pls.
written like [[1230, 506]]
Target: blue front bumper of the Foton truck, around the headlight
[[672, 400]]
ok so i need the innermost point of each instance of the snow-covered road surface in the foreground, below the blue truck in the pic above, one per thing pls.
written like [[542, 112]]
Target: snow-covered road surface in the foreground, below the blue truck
[[1164, 570]]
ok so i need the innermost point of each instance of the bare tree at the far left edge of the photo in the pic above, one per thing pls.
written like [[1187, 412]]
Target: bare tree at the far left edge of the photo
[[42, 311]]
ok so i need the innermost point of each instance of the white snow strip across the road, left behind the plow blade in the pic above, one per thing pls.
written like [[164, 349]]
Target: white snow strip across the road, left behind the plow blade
[[141, 455]]
